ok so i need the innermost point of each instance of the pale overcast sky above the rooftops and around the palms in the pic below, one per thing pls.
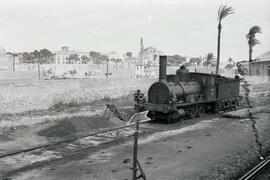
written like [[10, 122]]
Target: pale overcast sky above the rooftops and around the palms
[[185, 27]]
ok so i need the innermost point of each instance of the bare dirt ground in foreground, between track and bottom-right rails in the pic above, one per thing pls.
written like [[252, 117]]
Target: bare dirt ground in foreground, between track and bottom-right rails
[[206, 148]]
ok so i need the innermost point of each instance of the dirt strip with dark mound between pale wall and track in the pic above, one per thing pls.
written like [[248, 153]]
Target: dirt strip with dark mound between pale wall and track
[[31, 128]]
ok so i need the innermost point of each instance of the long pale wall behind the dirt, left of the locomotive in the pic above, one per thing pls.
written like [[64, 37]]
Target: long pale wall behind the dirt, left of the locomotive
[[18, 96]]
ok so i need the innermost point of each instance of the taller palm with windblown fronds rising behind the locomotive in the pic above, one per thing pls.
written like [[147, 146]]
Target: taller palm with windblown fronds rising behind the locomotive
[[222, 13]]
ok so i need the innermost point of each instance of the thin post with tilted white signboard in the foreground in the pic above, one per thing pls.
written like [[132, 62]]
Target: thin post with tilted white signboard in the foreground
[[137, 118]]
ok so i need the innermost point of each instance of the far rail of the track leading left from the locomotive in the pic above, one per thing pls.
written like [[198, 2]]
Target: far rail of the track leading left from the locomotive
[[60, 141]]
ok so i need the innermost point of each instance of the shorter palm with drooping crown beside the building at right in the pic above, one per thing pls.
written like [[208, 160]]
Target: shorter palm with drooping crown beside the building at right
[[252, 41]]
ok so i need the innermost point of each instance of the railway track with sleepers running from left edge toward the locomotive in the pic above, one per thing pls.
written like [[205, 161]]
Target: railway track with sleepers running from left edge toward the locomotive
[[63, 148]]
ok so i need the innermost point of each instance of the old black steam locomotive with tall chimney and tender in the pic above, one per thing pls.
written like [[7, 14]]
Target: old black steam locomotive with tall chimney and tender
[[187, 94]]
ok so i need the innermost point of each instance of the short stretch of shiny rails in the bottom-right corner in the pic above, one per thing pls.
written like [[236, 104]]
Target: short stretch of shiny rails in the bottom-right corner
[[253, 173]]
